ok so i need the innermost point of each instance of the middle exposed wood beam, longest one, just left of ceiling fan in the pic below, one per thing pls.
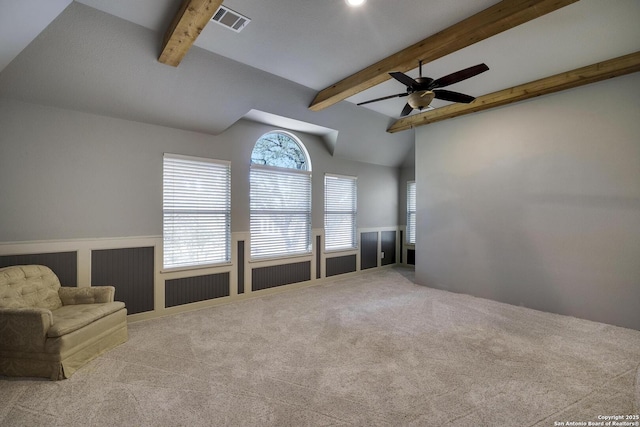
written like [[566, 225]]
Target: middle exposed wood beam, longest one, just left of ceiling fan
[[491, 21]]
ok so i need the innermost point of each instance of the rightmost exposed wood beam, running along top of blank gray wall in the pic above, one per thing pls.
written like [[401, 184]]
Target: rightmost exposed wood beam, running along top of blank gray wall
[[581, 76]]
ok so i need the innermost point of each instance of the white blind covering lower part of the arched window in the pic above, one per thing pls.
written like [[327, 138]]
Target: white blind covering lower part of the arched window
[[280, 212]]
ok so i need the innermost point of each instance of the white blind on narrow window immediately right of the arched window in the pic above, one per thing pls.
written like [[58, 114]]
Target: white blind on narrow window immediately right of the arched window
[[340, 212]]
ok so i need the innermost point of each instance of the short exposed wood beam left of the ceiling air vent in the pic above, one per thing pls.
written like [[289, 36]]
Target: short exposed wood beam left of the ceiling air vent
[[185, 28]]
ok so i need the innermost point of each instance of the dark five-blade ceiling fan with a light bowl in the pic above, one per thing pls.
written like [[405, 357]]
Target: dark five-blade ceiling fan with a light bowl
[[423, 90]]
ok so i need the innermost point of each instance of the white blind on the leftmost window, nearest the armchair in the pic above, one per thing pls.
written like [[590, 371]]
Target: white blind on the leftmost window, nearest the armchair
[[196, 211]]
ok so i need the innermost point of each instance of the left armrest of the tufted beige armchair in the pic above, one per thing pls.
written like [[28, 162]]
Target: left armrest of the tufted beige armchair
[[24, 329]]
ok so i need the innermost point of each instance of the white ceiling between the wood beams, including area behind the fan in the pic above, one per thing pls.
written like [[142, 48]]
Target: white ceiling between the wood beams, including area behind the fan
[[317, 43]]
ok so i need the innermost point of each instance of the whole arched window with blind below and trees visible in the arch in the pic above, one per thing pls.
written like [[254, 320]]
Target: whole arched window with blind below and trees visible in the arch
[[280, 197]]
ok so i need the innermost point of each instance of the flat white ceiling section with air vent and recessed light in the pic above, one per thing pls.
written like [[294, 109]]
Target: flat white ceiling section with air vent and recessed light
[[311, 42]]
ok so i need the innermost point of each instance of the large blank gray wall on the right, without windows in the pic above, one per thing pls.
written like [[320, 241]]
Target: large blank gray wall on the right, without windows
[[538, 203]]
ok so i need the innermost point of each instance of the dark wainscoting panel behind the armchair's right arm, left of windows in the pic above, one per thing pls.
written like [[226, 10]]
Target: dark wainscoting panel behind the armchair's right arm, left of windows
[[131, 271]]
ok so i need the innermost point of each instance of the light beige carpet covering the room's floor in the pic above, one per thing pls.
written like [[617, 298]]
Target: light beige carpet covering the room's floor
[[370, 350]]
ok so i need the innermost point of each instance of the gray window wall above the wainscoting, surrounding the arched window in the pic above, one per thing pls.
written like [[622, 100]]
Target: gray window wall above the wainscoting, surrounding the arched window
[[66, 174]]
